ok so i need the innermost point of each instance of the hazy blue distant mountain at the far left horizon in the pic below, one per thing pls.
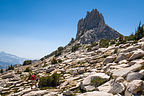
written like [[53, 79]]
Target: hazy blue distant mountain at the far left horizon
[[9, 59]]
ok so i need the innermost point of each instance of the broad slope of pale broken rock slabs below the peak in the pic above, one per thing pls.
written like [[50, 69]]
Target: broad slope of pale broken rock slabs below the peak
[[121, 76]]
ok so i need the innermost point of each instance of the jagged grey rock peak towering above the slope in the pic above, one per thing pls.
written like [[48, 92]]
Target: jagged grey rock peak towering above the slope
[[93, 28]]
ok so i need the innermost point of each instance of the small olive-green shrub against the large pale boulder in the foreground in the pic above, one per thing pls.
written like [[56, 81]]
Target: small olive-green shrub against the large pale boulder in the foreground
[[97, 81]]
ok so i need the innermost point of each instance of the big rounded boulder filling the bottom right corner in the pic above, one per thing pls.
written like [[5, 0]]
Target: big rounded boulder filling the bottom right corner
[[133, 87]]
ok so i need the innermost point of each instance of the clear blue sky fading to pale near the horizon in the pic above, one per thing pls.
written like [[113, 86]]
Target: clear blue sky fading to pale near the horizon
[[34, 28]]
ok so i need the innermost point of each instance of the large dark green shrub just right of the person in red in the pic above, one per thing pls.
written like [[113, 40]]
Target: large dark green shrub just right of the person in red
[[49, 81]]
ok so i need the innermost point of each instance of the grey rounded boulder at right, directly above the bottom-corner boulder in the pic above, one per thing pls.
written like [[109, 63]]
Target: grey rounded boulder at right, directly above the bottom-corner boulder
[[134, 76]]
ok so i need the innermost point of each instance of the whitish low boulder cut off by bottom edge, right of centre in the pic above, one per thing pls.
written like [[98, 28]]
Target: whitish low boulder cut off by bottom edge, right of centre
[[96, 93]]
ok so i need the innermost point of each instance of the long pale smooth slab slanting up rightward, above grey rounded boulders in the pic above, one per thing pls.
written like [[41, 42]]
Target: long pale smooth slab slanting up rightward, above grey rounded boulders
[[122, 72]]
